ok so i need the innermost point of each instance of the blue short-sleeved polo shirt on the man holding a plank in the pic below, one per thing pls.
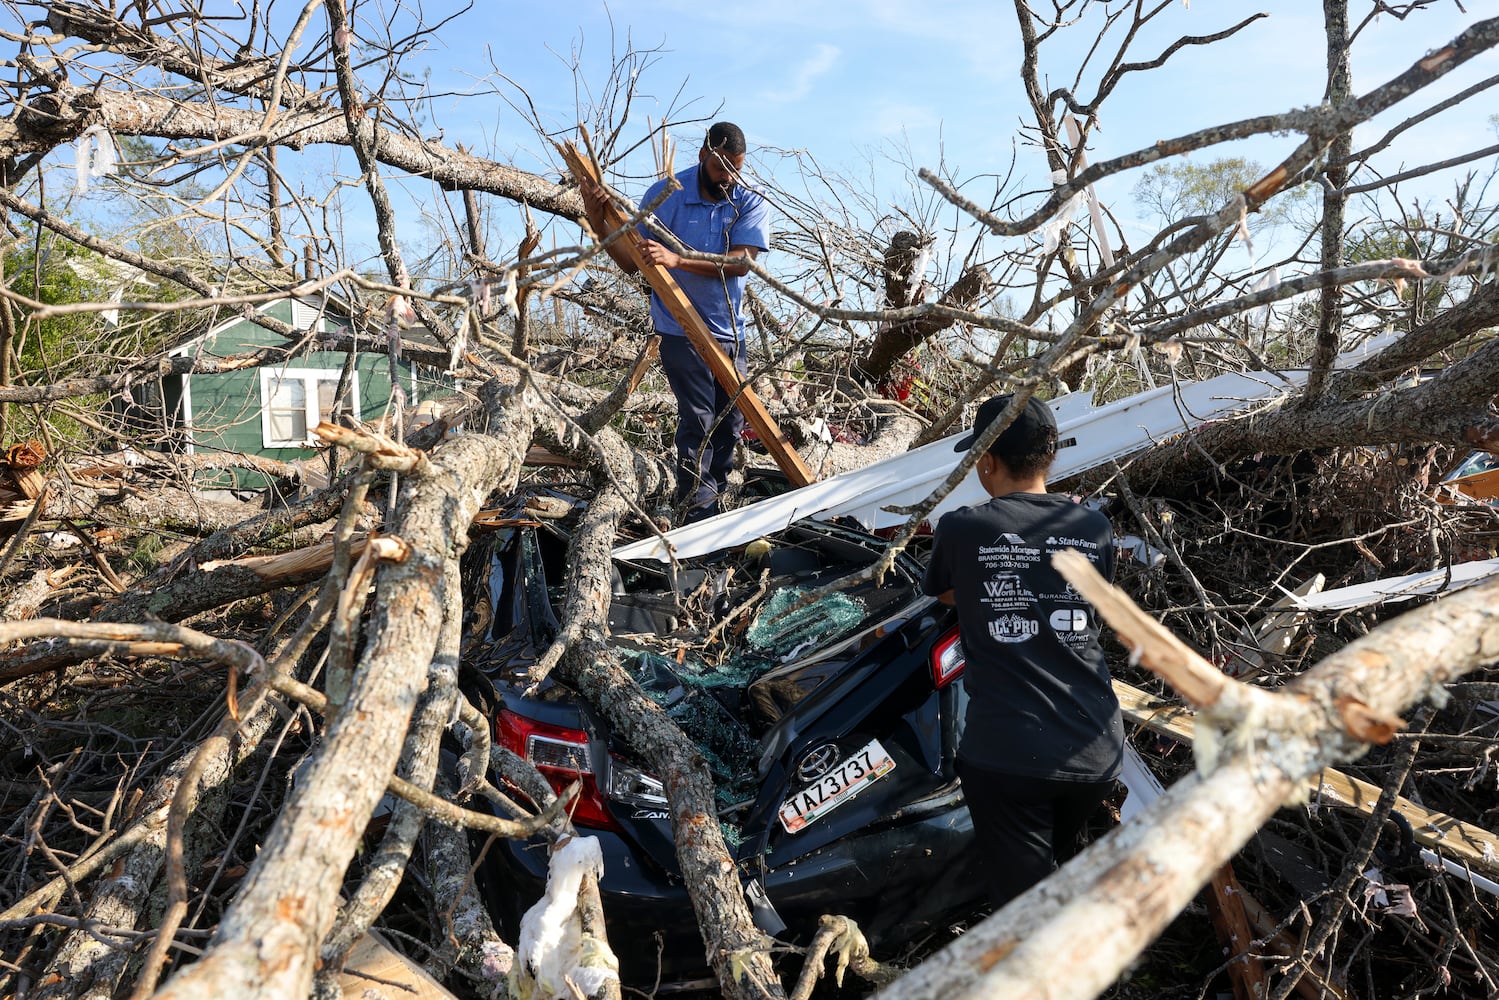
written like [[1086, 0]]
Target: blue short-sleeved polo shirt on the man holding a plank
[[710, 227]]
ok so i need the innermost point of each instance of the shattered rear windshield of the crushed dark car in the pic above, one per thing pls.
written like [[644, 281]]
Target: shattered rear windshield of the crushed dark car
[[729, 644]]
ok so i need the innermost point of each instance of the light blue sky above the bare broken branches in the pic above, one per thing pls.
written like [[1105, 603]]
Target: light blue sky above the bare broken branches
[[873, 89]]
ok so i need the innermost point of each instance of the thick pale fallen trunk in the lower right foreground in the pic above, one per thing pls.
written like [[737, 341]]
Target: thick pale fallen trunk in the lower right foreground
[[1104, 908]]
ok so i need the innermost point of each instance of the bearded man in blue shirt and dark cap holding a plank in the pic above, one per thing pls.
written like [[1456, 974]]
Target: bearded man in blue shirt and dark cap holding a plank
[[713, 214]]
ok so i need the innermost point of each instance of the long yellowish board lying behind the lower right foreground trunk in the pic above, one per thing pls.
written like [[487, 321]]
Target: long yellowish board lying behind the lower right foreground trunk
[[1471, 845]]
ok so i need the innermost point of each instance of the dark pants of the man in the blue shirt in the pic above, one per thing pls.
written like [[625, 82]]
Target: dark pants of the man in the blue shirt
[[707, 427]]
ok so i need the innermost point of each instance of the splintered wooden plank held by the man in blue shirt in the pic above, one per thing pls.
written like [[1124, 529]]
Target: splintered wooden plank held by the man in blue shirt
[[698, 334]]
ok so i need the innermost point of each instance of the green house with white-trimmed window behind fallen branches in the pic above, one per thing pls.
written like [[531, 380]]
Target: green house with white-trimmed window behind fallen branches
[[271, 412]]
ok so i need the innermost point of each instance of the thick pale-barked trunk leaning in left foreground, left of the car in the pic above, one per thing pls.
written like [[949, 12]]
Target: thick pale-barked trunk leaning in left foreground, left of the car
[[268, 942]]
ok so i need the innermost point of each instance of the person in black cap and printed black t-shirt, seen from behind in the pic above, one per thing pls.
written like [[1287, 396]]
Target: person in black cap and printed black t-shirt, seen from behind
[[1043, 740]]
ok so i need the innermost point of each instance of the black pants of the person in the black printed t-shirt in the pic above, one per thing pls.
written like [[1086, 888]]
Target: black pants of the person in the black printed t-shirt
[[1023, 828]]
